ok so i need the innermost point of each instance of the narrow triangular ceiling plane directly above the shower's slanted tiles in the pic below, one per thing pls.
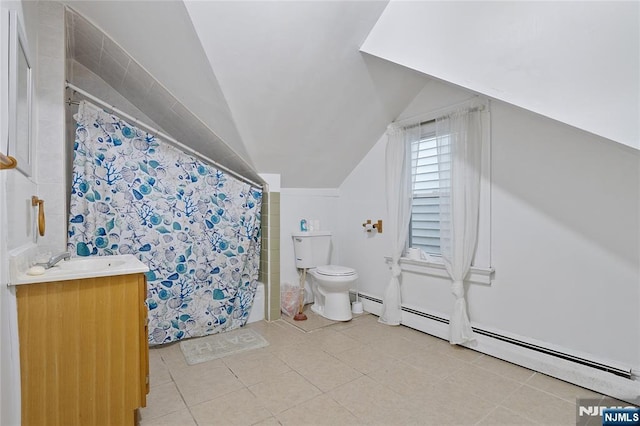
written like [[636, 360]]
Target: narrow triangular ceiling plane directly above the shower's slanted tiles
[[159, 36]]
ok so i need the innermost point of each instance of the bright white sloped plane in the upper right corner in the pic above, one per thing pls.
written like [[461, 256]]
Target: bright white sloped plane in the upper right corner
[[554, 58]]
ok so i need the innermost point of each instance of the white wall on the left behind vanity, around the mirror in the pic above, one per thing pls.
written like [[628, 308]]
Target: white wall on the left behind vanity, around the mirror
[[44, 27]]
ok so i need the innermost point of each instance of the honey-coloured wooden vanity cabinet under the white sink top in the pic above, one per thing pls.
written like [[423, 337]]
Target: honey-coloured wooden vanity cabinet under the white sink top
[[84, 353]]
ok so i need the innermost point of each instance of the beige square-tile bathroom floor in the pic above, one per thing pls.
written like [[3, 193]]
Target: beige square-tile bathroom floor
[[355, 373]]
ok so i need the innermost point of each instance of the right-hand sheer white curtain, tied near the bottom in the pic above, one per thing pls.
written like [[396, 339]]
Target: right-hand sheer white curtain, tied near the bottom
[[459, 137]]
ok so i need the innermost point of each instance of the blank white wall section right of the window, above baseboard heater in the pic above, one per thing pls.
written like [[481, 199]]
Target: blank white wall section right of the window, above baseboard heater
[[565, 241]]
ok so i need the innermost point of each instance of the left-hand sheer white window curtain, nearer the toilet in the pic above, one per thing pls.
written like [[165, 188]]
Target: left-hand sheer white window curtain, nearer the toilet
[[398, 189]]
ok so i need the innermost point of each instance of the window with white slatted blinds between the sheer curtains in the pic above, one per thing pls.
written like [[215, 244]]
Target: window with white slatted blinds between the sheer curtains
[[428, 175]]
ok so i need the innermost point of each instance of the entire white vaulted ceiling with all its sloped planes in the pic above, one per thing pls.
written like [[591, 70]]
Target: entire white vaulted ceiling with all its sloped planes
[[285, 86]]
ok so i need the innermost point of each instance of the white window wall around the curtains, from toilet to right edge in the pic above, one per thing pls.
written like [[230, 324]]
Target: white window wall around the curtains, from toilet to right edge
[[565, 236]]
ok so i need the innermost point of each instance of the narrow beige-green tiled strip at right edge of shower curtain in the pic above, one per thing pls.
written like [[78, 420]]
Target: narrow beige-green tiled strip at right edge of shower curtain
[[270, 253]]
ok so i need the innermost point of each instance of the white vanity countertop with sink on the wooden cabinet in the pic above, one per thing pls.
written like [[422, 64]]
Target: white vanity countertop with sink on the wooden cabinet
[[84, 267]]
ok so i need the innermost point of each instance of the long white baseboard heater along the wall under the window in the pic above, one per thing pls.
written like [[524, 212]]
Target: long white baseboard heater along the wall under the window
[[615, 381]]
